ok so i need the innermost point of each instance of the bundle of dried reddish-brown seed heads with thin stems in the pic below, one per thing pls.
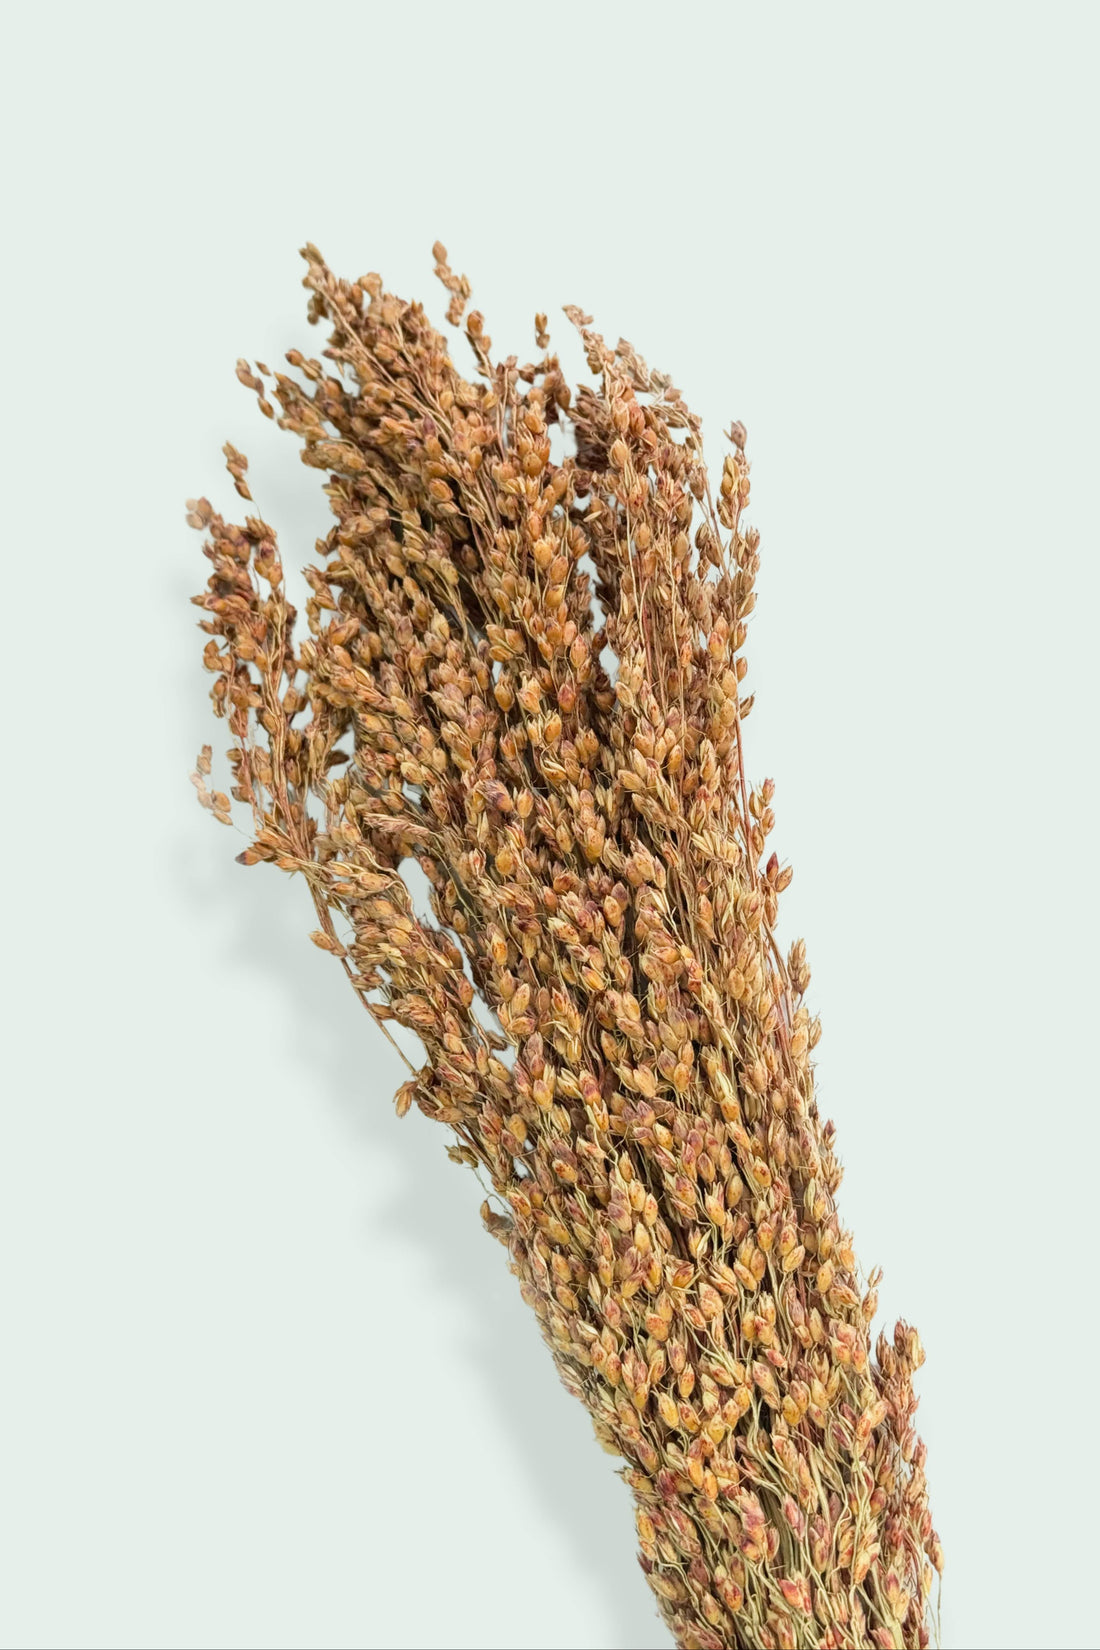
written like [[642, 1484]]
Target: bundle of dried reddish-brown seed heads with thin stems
[[527, 677]]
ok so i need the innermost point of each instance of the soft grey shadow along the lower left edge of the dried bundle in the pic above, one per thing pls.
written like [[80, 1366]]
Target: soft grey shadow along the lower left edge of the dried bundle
[[261, 931]]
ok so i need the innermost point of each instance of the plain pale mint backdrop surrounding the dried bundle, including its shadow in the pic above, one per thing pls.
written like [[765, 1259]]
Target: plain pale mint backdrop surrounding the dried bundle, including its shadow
[[265, 1380]]
